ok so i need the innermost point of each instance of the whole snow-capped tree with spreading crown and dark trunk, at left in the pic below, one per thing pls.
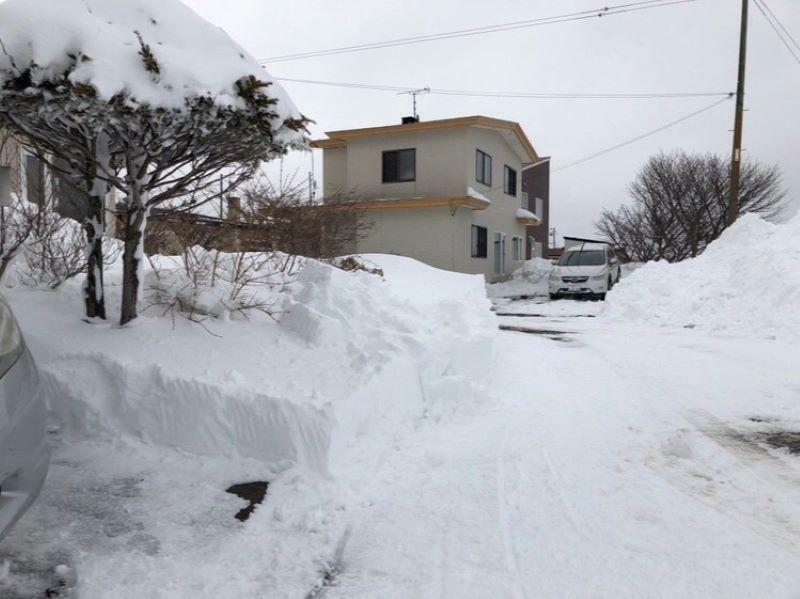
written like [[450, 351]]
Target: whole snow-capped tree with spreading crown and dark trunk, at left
[[141, 96]]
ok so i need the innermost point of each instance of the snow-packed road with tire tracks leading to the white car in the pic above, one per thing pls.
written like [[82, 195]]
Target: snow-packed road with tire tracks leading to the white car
[[611, 464]]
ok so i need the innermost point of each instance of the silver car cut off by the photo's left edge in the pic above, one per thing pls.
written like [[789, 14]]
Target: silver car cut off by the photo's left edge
[[24, 458]]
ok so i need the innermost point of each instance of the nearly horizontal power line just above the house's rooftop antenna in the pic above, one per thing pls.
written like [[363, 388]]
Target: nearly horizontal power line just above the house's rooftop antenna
[[491, 94]]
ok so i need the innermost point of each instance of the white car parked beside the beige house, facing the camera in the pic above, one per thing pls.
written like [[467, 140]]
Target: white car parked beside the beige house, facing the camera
[[586, 270]]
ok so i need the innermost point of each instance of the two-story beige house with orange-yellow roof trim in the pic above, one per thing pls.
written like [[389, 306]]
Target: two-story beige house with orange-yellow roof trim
[[445, 192]]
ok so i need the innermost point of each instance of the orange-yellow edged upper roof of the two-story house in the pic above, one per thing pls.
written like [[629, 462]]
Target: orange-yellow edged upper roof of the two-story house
[[510, 130]]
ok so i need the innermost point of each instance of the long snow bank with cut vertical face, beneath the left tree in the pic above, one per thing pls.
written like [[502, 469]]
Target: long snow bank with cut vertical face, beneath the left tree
[[352, 354]]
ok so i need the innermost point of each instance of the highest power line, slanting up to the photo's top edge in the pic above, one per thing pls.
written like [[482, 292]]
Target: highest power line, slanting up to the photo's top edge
[[564, 18]]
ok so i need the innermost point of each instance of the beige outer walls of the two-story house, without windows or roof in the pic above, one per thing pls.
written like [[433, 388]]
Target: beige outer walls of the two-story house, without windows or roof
[[445, 168]]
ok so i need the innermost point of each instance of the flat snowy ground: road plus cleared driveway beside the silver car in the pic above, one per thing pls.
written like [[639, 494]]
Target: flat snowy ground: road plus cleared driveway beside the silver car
[[606, 461]]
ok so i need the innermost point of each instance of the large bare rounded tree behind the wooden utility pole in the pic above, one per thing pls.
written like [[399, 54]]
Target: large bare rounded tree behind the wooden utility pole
[[680, 202]]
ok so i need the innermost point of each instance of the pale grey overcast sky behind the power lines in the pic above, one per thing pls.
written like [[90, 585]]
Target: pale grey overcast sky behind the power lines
[[684, 48]]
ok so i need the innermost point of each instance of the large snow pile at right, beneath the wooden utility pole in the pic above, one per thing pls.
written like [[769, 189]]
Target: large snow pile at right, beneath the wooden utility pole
[[746, 283]]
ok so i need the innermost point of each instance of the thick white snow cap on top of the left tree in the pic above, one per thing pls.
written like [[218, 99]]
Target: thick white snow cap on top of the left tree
[[106, 37]]
